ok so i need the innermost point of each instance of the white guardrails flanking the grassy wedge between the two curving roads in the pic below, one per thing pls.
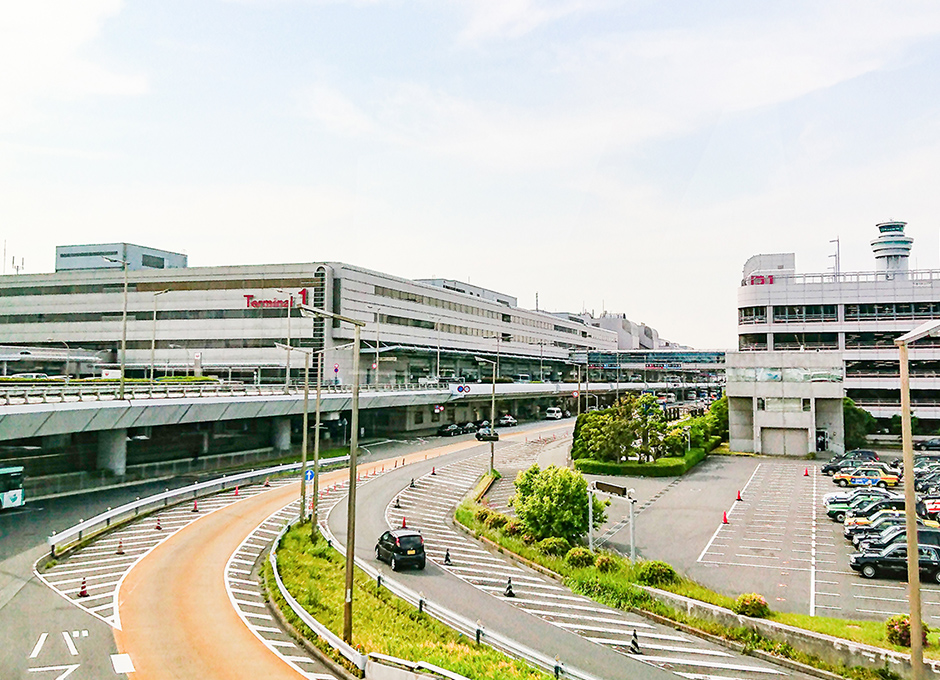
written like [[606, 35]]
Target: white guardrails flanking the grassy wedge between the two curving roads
[[474, 629]]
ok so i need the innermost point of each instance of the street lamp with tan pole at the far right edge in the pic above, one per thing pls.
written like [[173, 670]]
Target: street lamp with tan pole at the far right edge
[[910, 500]]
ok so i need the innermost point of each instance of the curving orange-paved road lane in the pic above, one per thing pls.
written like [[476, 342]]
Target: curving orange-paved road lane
[[177, 619]]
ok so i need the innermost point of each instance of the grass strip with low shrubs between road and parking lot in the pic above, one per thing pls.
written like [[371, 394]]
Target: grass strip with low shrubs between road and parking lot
[[618, 588]]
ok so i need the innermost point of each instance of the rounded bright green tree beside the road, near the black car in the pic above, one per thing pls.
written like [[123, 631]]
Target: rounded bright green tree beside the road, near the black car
[[554, 502]]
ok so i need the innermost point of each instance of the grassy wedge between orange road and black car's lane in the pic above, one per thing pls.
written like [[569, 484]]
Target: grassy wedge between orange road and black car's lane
[[382, 623]]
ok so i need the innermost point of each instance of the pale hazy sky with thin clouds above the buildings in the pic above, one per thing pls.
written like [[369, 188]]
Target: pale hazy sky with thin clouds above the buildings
[[626, 156]]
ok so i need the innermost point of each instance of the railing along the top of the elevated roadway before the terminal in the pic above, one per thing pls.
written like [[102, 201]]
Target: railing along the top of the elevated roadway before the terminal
[[62, 392]]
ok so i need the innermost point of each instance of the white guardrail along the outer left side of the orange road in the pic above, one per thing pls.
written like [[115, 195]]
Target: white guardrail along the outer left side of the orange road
[[90, 527]]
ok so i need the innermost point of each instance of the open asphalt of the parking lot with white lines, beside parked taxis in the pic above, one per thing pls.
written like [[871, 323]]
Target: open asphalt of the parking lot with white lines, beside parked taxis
[[778, 542]]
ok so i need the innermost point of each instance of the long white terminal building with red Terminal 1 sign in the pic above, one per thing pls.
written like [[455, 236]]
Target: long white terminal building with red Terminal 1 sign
[[226, 320]]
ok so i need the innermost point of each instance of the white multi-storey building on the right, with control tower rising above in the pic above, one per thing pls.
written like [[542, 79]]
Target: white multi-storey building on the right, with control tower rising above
[[854, 316]]
